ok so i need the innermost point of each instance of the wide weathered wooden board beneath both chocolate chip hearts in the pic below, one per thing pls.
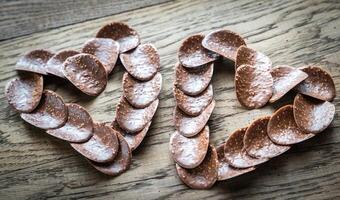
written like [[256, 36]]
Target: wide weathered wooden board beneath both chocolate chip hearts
[[34, 165]]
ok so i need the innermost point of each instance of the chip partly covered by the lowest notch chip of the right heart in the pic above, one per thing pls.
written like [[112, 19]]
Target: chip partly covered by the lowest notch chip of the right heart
[[248, 56]]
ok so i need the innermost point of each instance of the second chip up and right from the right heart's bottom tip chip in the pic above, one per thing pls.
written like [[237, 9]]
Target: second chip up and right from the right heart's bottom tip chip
[[235, 153]]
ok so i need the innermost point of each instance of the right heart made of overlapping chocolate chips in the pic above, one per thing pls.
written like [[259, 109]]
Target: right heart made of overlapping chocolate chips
[[199, 164]]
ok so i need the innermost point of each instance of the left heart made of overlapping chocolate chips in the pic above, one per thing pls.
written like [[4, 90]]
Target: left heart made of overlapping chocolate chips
[[107, 146]]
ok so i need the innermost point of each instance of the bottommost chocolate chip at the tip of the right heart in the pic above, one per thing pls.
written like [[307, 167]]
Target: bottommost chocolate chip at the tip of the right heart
[[205, 175]]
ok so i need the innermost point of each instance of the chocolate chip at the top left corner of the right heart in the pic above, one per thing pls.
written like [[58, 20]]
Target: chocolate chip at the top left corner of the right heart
[[192, 54]]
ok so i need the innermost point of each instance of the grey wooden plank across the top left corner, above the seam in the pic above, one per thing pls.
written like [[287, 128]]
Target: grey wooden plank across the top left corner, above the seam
[[21, 17]]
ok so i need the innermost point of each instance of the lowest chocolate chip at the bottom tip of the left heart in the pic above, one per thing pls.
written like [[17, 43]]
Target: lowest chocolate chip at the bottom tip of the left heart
[[121, 162]]
